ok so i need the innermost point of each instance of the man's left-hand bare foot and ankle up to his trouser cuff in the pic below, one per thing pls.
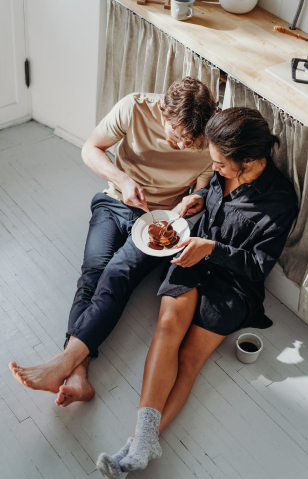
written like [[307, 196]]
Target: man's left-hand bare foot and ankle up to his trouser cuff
[[51, 375]]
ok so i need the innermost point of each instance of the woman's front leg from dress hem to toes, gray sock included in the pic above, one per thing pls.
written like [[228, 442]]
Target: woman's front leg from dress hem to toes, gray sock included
[[160, 372]]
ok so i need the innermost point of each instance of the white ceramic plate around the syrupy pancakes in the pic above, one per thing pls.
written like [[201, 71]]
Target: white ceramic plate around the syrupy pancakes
[[140, 235]]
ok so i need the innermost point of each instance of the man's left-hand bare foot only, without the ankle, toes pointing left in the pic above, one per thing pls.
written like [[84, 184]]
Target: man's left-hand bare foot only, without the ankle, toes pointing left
[[45, 377]]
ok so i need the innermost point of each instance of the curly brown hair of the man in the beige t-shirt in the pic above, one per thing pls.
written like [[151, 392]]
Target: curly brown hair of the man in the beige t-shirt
[[190, 104]]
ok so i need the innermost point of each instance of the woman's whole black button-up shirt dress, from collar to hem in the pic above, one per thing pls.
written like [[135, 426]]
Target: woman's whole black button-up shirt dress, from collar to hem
[[250, 228]]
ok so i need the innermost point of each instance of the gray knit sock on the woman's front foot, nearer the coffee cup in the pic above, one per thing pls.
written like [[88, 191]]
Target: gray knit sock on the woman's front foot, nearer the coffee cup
[[145, 445]]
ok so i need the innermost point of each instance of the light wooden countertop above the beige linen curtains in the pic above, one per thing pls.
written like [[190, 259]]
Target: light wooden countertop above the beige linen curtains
[[241, 45]]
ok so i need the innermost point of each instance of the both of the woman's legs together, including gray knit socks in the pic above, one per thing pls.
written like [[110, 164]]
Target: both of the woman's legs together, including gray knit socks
[[168, 379]]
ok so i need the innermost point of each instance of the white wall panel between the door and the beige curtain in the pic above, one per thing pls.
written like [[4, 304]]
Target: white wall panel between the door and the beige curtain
[[66, 49]]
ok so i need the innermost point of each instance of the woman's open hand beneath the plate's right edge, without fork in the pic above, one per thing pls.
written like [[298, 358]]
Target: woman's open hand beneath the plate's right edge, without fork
[[196, 250]]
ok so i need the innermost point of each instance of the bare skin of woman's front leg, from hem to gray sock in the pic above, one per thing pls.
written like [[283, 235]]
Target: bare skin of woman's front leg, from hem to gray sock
[[161, 366]]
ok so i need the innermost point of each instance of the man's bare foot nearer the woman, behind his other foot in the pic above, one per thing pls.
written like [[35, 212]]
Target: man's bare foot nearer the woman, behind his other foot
[[77, 387]]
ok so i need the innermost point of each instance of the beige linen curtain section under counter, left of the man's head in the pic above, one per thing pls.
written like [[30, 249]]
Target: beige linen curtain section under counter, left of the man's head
[[142, 58]]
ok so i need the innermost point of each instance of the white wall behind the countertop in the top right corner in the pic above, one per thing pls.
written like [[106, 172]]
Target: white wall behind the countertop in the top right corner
[[286, 10]]
